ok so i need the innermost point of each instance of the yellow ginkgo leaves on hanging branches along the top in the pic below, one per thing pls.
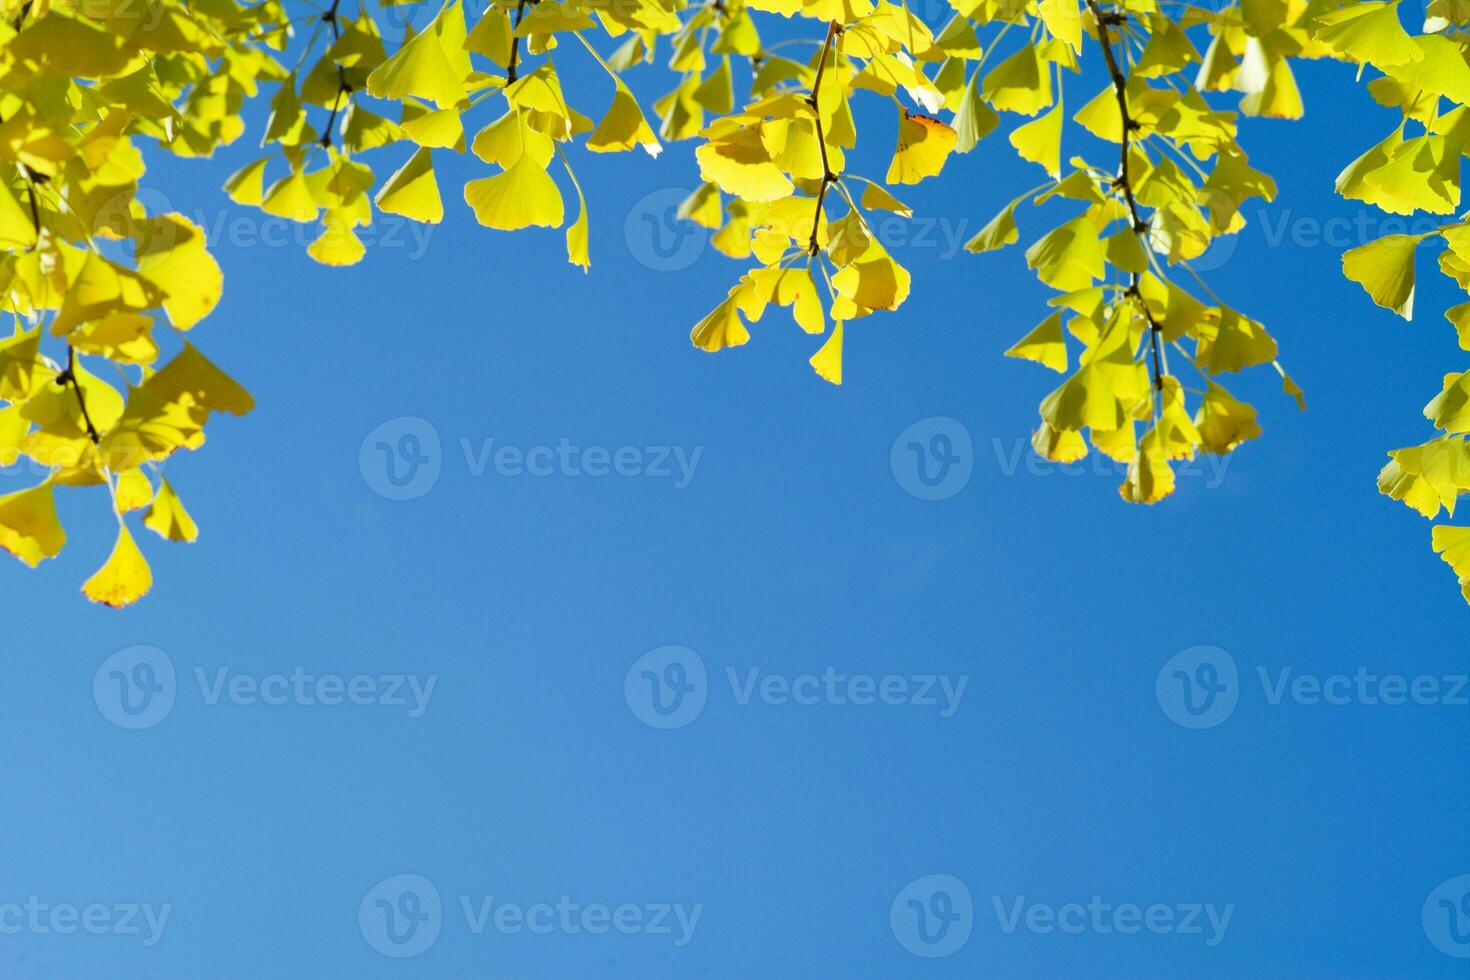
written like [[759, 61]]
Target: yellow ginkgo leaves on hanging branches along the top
[[1143, 345]]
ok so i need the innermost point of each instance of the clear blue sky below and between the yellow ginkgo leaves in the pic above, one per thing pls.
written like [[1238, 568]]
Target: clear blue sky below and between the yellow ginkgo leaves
[[796, 829]]
